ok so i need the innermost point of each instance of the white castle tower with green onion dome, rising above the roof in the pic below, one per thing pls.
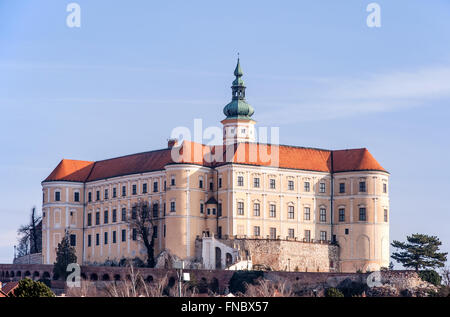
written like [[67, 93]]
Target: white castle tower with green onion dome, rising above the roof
[[238, 125]]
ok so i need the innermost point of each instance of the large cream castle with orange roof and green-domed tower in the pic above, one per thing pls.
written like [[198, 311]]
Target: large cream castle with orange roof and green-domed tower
[[254, 194]]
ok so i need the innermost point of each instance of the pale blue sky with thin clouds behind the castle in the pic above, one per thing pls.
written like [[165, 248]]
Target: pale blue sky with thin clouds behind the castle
[[137, 69]]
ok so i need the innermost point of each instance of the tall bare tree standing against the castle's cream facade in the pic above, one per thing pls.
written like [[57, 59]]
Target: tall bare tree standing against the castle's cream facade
[[142, 225]]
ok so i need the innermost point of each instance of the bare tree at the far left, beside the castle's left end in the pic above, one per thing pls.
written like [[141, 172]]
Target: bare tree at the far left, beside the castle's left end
[[30, 235]]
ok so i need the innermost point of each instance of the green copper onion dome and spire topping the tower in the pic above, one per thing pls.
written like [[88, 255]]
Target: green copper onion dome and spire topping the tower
[[238, 108]]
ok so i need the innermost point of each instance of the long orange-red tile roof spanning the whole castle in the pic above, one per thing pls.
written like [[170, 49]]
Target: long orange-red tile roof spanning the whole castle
[[290, 157]]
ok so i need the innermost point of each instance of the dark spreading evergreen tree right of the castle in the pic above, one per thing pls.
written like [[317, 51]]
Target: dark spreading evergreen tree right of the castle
[[420, 252]]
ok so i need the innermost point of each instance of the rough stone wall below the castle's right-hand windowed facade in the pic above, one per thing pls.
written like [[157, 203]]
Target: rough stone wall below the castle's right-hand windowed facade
[[288, 255]]
